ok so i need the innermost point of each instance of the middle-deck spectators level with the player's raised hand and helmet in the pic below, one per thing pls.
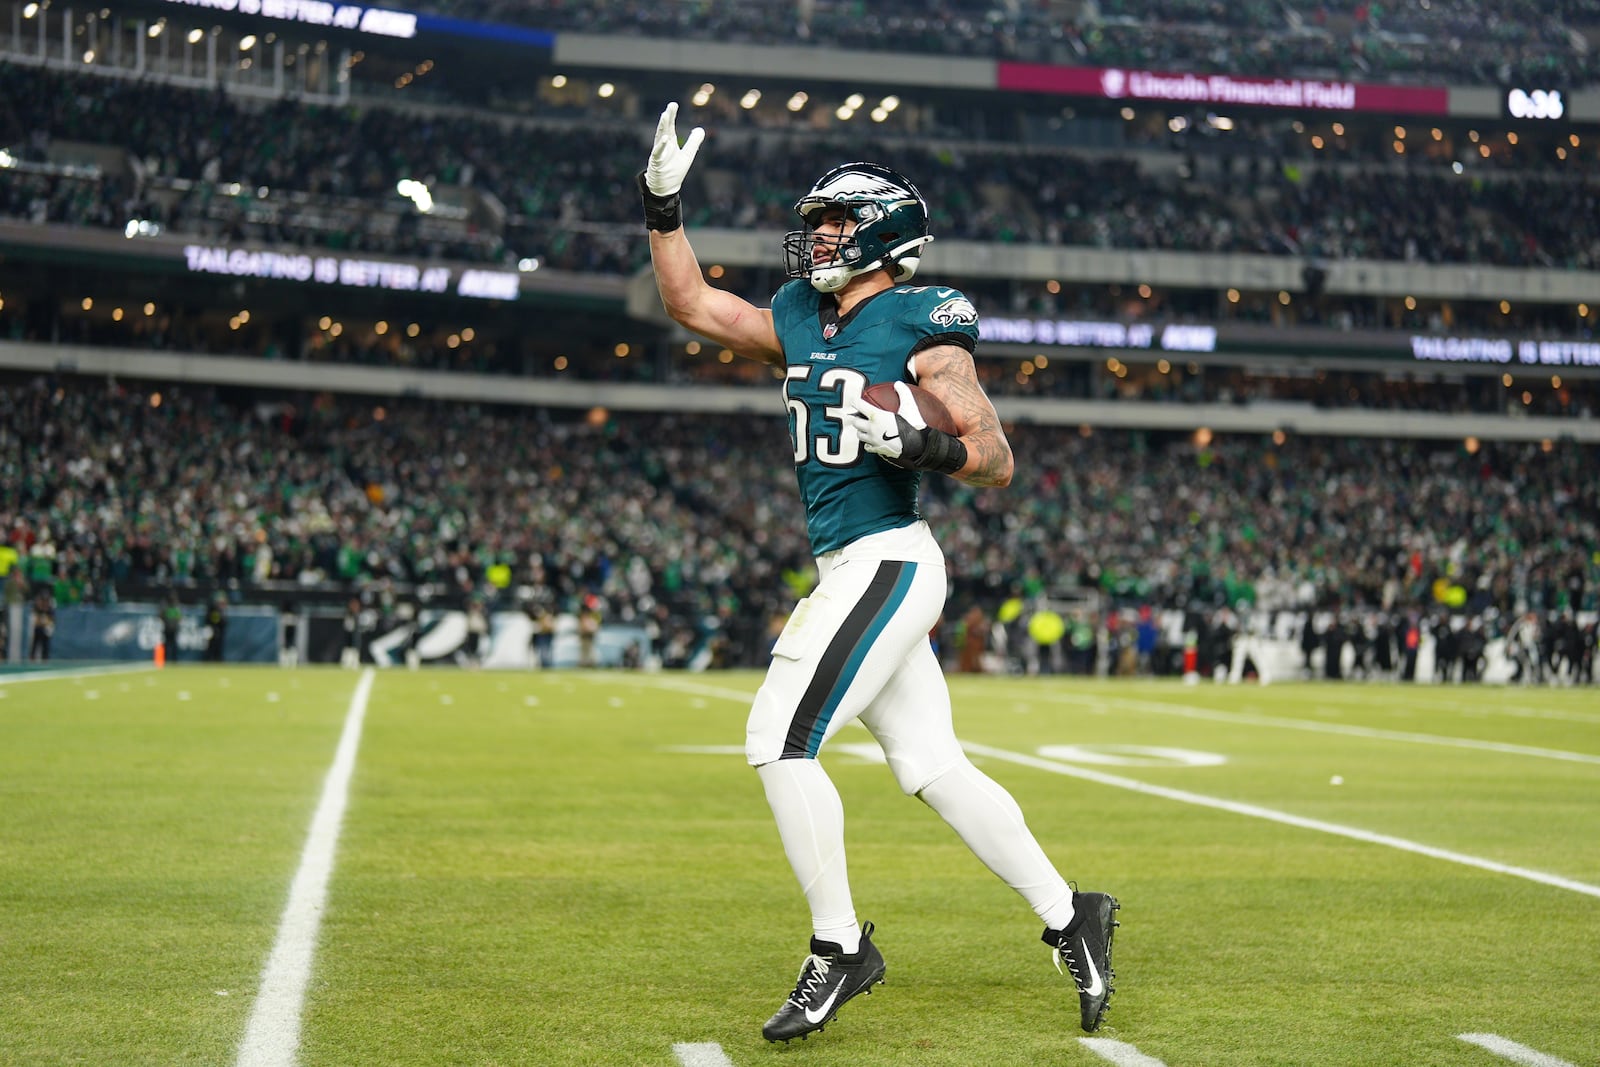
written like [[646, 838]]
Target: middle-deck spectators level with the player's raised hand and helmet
[[313, 175]]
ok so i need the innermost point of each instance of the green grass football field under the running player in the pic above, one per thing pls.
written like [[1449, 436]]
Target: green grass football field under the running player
[[580, 869]]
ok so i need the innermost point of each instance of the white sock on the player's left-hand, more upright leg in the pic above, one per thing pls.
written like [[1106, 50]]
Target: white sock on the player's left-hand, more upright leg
[[812, 825]]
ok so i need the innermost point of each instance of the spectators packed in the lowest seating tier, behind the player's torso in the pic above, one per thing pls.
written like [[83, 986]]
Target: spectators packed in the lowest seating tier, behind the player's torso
[[682, 522]]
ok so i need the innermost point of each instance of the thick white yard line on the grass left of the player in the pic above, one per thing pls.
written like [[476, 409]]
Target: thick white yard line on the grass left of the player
[[273, 1034]]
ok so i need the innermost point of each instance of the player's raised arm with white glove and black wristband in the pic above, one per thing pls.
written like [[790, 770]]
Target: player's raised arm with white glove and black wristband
[[716, 314]]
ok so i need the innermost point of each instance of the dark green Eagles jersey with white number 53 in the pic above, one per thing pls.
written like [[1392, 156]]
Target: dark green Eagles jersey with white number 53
[[849, 492]]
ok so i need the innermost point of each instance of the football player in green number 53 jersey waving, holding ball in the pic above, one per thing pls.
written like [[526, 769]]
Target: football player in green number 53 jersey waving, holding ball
[[858, 645]]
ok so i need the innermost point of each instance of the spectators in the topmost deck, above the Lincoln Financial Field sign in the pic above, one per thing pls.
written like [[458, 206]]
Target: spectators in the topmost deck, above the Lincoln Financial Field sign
[[1410, 41]]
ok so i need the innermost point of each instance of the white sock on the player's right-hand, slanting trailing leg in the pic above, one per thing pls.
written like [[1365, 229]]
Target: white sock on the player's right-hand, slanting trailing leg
[[990, 821]]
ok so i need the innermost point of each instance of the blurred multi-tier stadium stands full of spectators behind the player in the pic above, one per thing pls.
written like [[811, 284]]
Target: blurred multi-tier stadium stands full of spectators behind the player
[[295, 481]]
